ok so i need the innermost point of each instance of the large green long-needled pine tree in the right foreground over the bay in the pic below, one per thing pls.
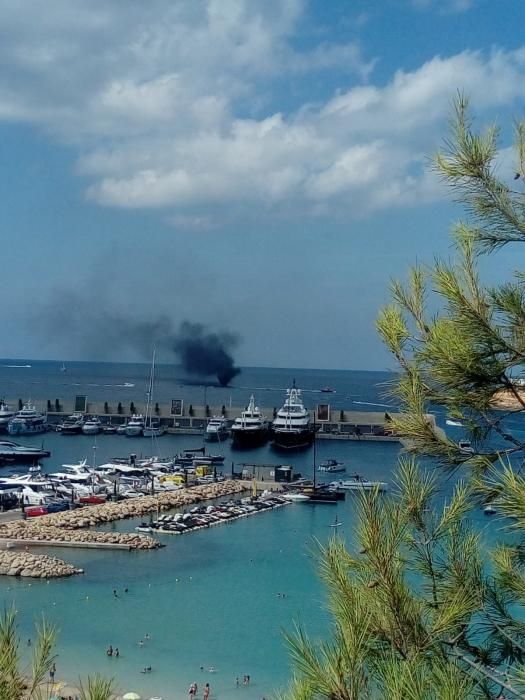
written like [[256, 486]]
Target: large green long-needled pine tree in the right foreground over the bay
[[424, 607]]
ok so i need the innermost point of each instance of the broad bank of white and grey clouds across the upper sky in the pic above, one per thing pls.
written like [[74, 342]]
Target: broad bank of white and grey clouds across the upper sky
[[181, 106]]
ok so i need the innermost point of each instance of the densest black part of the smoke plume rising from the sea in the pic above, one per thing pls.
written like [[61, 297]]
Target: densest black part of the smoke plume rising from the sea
[[203, 353]]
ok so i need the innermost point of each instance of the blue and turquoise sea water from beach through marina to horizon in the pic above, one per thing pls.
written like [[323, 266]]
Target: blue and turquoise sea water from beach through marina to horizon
[[212, 606]]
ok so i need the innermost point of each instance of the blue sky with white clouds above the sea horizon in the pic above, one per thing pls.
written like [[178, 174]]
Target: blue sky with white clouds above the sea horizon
[[258, 166]]
